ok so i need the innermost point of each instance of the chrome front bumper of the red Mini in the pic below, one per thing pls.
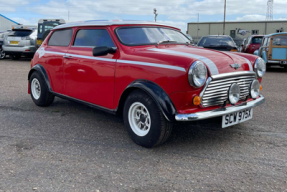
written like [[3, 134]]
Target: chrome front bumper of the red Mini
[[219, 112]]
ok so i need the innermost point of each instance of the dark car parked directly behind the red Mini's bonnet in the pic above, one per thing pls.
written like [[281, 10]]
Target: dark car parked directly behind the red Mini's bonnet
[[218, 42]]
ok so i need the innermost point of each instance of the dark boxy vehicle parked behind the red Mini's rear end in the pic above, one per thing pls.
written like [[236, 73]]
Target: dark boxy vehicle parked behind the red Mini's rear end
[[44, 28]]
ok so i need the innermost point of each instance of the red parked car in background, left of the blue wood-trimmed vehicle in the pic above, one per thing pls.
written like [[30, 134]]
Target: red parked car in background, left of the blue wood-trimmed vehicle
[[252, 44]]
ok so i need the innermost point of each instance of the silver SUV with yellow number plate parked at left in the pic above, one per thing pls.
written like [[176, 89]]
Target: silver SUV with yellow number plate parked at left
[[20, 41]]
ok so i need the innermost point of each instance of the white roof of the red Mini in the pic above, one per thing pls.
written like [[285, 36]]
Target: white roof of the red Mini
[[108, 23]]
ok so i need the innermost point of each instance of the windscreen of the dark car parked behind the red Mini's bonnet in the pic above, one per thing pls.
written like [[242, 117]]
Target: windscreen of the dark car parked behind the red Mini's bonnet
[[216, 42]]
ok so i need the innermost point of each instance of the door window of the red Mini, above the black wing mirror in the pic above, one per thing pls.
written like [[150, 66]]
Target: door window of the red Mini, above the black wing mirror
[[93, 38]]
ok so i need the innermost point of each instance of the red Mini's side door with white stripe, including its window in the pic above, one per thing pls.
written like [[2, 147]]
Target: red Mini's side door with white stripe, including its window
[[90, 78]]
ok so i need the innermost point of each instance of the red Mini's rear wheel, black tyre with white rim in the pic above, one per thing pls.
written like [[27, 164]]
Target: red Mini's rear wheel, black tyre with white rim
[[40, 94]]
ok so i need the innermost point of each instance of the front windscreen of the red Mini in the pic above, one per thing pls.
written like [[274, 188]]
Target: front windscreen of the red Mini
[[150, 35]]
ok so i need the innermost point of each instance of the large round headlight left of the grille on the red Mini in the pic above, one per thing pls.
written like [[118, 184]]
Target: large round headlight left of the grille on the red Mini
[[197, 74]]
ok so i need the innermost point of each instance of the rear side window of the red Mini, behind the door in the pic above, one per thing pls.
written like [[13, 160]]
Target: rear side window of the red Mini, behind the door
[[61, 38]]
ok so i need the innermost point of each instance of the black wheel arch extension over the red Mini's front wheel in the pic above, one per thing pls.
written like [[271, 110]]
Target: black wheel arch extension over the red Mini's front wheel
[[160, 97]]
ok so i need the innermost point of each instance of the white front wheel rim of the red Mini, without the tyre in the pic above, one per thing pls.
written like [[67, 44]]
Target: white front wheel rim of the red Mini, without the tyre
[[139, 119]]
